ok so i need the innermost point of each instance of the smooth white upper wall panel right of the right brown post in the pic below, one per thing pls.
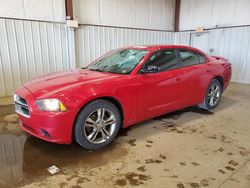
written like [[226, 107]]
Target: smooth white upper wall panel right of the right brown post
[[212, 13]]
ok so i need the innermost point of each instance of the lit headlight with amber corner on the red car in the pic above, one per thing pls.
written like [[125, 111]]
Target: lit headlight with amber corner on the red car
[[51, 105]]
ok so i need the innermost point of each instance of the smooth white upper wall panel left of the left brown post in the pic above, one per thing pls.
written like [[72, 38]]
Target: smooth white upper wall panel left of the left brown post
[[46, 10]]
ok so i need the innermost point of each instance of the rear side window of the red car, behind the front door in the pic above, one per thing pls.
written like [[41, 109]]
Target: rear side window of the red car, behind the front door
[[189, 57]]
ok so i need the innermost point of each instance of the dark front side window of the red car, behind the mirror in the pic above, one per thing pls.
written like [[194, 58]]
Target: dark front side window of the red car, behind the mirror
[[164, 60]]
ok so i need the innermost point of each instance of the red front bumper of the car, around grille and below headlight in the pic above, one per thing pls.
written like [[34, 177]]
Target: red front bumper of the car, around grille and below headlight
[[50, 126]]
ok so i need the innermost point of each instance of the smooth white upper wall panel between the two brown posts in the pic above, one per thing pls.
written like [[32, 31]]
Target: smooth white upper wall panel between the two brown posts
[[148, 14]]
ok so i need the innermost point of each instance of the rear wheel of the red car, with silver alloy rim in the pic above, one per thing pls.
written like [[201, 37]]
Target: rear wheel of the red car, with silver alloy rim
[[213, 96]]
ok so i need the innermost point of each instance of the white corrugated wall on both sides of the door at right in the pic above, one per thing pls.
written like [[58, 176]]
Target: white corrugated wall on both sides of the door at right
[[231, 43]]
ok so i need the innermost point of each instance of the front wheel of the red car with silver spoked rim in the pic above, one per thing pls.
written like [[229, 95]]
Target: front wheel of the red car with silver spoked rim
[[97, 125]]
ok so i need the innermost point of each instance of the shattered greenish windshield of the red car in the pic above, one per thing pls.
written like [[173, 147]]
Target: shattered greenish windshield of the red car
[[119, 61]]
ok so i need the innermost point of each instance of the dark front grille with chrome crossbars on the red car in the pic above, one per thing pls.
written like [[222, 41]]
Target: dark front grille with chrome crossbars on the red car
[[21, 106]]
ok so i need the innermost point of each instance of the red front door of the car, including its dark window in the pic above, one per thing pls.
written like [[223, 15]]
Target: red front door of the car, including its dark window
[[163, 91]]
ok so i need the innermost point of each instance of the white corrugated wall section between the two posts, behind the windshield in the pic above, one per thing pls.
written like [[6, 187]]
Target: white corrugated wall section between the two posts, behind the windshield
[[94, 41]]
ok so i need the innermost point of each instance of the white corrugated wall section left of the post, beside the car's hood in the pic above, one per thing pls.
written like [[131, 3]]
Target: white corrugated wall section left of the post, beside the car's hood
[[29, 49]]
